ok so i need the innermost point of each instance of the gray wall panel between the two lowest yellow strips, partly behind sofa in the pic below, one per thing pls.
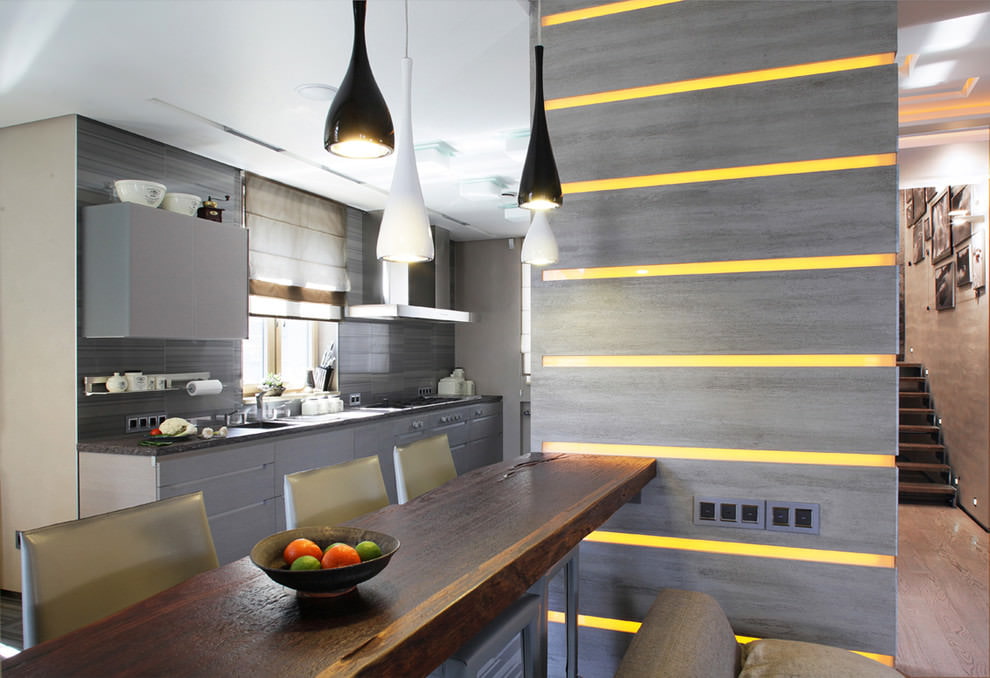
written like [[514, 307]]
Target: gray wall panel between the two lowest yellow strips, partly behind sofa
[[763, 597]]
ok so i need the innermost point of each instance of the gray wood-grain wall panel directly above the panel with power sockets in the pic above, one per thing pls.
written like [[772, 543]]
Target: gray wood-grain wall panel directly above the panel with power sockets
[[819, 409]]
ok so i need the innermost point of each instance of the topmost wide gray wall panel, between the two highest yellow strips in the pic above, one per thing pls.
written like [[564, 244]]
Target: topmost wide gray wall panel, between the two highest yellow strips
[[649, 46]]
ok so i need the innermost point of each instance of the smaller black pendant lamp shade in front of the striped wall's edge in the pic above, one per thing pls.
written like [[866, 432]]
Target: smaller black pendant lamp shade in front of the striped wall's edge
[[539, 187]]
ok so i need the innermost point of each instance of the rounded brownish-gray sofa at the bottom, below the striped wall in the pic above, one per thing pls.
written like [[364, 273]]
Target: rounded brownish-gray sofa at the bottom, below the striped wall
[[687, 635]]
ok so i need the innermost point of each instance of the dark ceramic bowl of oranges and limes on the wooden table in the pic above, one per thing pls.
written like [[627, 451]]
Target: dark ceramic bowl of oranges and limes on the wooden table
[[335, 560]]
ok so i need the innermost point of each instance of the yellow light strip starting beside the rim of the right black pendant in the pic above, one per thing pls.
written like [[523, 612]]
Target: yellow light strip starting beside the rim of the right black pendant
[[733, 173]]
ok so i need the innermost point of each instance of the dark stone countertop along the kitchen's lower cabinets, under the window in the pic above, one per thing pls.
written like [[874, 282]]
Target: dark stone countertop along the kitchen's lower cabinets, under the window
[[129, 444]]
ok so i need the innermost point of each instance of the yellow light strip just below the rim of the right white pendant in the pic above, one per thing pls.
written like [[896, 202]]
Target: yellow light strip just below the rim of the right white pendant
[[722, 267]]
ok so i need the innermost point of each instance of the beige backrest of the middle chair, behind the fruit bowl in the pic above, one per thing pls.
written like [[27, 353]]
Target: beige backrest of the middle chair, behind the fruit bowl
[[331, 495]]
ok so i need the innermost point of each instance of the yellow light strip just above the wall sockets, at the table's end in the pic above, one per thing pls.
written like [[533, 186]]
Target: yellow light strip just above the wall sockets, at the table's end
[[725, 454]]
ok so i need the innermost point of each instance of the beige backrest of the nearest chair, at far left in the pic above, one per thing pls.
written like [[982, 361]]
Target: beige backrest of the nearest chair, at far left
[[76, 572]]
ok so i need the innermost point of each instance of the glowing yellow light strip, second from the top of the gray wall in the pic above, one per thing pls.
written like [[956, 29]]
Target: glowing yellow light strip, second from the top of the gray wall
[[727, 80]]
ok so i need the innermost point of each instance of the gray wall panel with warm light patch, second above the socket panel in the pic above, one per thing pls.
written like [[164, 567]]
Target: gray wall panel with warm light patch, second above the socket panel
[[827, 311]]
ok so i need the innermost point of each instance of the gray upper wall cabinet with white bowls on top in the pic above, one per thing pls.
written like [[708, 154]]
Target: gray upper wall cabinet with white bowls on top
[[153, 273]]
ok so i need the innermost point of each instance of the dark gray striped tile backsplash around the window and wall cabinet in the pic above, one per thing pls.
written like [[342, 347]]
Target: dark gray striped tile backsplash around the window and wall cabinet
[[376, 359]]
